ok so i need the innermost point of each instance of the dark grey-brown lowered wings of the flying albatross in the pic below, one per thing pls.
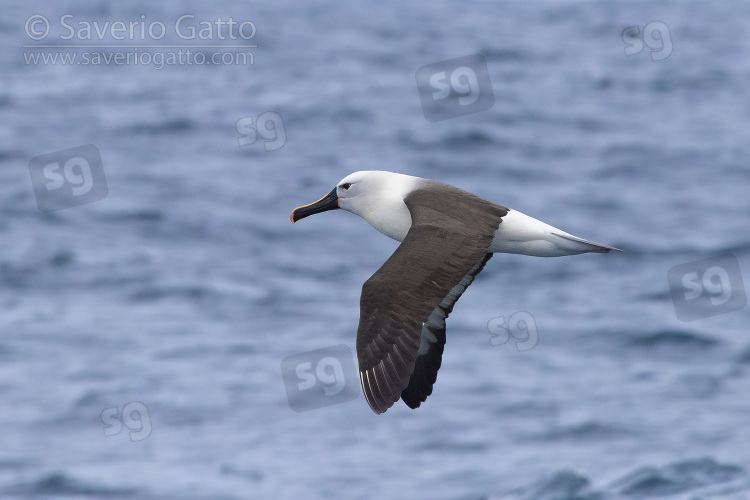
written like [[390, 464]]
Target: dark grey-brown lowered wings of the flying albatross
[[448, 241]]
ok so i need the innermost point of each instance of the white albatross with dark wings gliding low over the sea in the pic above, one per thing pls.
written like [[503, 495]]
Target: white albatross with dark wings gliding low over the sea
[[447, 235]]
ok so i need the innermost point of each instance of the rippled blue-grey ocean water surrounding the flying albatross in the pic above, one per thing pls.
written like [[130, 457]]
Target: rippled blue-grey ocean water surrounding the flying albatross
[[142, 331]]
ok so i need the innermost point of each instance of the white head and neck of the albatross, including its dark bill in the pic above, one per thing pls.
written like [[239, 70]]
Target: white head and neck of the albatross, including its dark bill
[[375, 195]]
